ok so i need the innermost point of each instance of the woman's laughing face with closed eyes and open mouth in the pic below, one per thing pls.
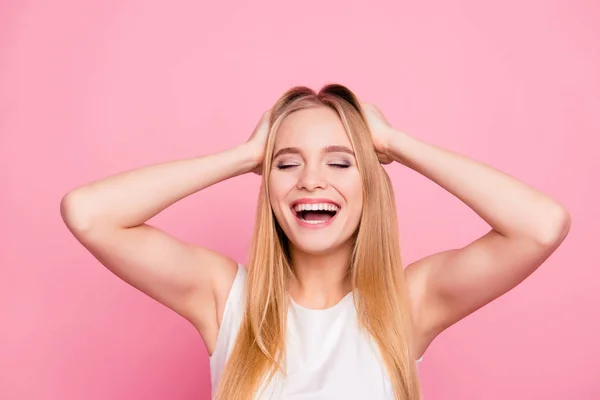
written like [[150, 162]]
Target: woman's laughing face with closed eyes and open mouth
[[314, 187]]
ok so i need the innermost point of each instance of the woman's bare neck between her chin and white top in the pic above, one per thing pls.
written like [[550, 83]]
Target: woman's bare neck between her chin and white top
[[321, 280]]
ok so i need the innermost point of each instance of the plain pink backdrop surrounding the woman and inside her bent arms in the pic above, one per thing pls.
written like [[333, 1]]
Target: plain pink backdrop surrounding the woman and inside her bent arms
[[93, 89]]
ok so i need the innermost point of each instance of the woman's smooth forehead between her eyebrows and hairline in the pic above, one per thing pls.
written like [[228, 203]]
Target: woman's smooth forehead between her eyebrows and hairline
[[312, 128]]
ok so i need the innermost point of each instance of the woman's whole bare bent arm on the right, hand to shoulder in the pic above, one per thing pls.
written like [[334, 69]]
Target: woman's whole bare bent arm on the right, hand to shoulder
[[526, 227]]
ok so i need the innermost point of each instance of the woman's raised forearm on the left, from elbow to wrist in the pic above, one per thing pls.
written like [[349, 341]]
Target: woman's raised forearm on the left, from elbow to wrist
[[131, 198]]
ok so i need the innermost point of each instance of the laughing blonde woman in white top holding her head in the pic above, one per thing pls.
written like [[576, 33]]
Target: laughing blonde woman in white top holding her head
[[325, 308]]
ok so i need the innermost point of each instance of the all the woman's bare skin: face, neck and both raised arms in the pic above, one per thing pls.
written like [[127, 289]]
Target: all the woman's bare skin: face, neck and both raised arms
[[108, 217]]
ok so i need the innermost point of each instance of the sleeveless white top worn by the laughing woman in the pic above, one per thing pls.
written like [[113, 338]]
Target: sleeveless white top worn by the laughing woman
[[327, 356]]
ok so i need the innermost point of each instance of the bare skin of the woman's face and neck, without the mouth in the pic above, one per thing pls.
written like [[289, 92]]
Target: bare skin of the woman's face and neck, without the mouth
[[310, 163]]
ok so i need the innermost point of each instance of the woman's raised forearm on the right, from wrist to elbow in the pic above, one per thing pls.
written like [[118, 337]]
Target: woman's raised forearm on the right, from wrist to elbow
[[510, 206]]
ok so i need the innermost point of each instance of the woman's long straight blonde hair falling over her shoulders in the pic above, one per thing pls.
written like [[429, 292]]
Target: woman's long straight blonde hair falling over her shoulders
[[376, 271]]
